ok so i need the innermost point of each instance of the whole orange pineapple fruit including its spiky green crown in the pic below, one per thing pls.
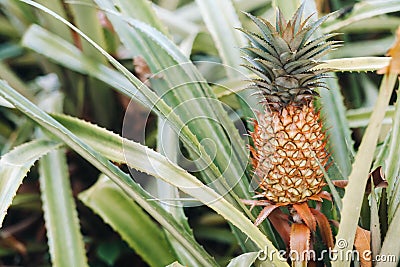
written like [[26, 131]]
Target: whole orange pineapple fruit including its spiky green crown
[[289, 141]]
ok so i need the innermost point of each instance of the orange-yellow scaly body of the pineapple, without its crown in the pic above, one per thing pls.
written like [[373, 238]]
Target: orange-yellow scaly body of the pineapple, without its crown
[[289, 150]]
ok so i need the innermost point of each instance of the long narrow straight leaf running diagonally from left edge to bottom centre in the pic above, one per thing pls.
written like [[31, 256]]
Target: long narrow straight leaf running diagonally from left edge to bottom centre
[[123, 180]]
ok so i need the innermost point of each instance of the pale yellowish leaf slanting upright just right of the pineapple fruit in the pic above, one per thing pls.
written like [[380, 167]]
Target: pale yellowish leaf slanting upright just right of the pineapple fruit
[[354, 193]]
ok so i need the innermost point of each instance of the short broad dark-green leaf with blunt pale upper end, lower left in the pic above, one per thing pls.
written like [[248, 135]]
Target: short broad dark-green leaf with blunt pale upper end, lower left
[[129, 220]]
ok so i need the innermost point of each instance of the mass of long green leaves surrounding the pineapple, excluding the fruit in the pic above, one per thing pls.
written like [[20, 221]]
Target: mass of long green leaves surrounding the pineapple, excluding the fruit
[[165, 76]]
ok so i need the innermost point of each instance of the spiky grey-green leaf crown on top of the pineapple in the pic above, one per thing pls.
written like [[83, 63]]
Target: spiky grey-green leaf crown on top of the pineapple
[[283, 58]]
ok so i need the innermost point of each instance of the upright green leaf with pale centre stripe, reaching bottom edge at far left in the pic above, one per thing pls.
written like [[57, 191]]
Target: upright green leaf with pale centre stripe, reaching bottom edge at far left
[[65, 240]]
